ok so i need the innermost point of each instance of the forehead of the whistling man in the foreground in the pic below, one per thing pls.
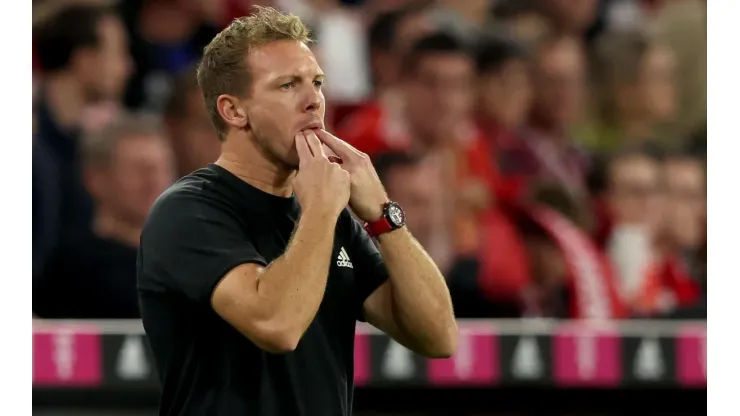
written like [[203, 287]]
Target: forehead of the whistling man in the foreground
[[283, 58]]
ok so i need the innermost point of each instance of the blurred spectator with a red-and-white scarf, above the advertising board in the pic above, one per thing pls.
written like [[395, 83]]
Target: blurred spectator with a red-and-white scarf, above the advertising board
[[571, 276]]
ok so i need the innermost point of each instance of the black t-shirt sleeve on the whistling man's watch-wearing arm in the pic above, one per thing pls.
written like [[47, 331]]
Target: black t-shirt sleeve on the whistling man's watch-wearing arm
[[370, 270]]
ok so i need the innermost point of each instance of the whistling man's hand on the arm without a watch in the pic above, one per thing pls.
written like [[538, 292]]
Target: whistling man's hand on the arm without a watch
[[320, 185]]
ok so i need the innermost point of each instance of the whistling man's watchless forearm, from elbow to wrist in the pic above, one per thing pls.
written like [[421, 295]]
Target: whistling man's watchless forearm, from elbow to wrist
[[292, 286]]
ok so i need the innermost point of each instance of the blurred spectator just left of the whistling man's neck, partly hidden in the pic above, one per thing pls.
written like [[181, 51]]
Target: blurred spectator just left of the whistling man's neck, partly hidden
[[194, 140]]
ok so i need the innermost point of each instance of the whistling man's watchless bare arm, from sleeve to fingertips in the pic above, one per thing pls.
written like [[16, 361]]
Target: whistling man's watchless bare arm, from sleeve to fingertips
[[273, 307]]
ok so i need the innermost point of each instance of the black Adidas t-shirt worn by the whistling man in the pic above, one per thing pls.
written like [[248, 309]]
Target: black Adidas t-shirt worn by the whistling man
[[202, 227]]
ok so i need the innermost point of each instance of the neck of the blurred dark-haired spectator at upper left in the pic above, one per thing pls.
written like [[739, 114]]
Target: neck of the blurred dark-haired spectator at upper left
[[65, 98]]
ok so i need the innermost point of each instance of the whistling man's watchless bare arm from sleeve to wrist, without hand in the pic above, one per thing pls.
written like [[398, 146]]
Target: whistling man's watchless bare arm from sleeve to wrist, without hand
[[274, 306]]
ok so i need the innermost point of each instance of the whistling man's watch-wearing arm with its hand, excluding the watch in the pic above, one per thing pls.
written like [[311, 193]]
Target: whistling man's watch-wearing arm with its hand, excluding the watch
[[414, 305]]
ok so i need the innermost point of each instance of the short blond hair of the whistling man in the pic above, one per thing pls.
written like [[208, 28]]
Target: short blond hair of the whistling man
[[223, 69]]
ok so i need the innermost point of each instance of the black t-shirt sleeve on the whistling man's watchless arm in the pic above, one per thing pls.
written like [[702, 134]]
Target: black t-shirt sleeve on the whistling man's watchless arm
[[188, 245]]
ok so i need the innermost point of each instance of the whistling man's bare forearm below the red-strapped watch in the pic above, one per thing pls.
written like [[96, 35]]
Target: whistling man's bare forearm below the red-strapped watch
[[420, 298]]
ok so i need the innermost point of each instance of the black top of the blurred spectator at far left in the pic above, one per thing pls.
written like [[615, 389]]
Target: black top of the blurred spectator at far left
[[89, 278]]
